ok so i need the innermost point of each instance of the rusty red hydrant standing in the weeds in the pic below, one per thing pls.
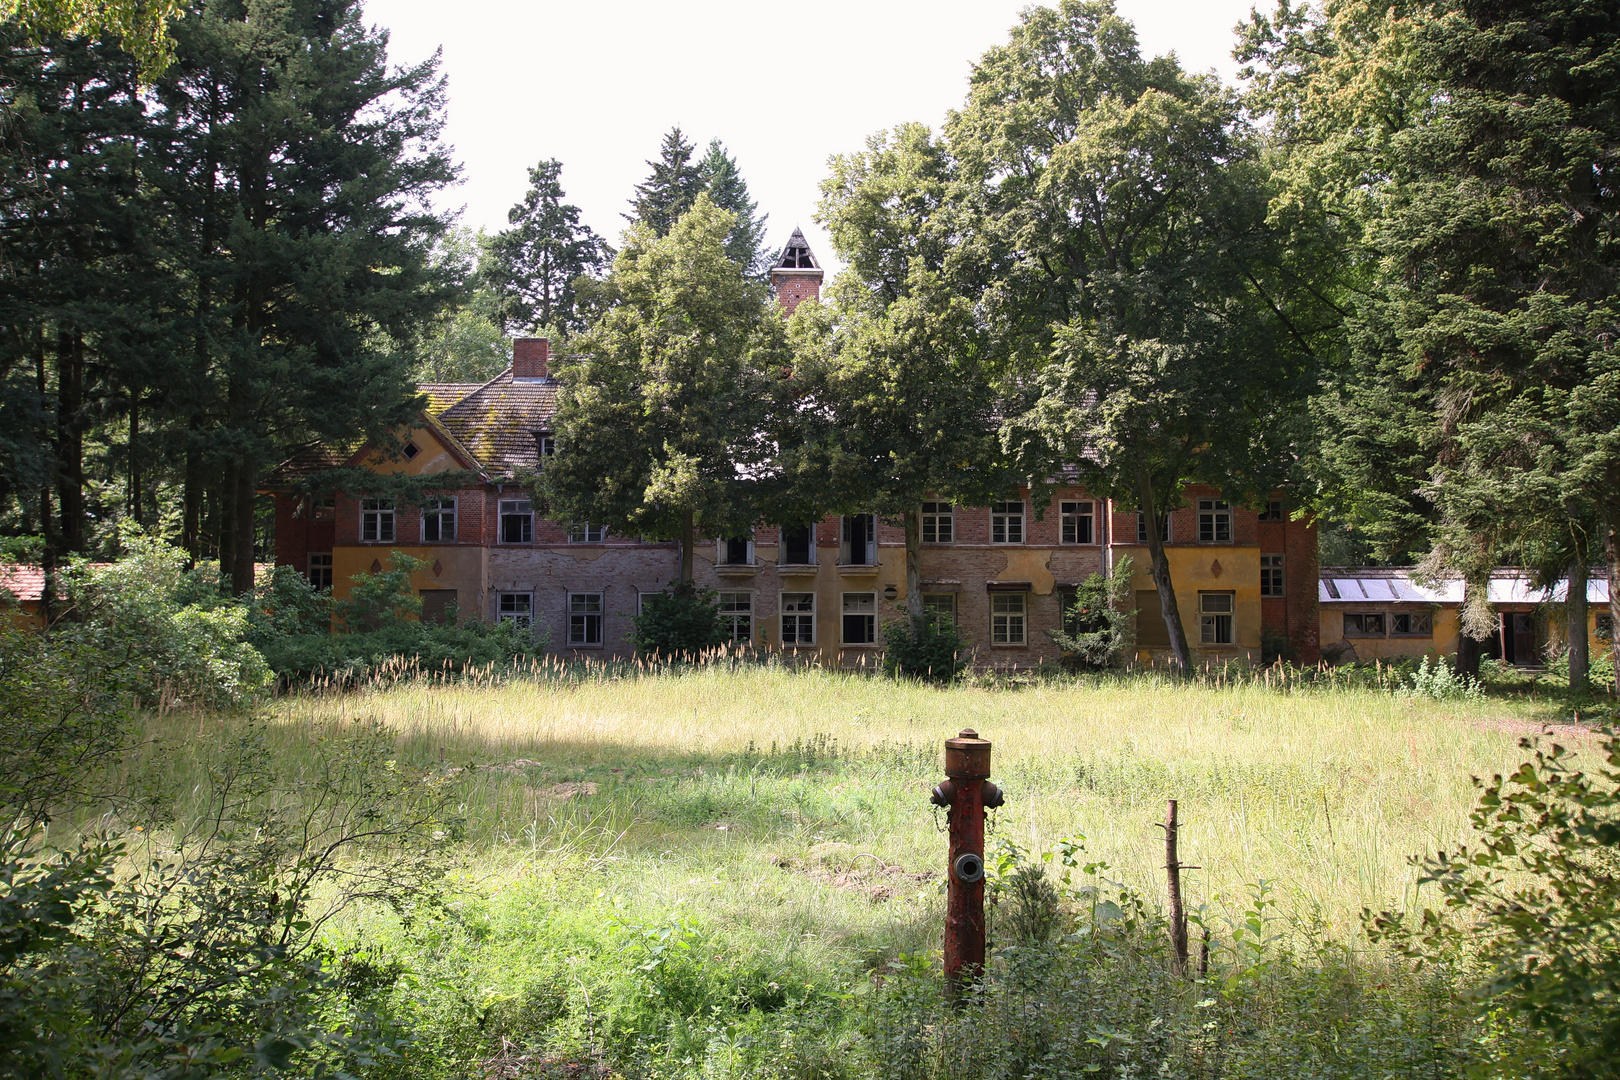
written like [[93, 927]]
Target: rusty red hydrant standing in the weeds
[[966, 794]]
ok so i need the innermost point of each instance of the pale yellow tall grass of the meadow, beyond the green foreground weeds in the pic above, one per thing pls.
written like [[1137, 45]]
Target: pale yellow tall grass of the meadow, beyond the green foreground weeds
[[1324, 793]]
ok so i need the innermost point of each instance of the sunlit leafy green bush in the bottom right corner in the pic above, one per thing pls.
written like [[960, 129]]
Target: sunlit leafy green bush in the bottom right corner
[[1537, 903]]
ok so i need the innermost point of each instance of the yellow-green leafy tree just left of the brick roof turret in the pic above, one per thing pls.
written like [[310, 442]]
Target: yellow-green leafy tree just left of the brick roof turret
[[662, 419]]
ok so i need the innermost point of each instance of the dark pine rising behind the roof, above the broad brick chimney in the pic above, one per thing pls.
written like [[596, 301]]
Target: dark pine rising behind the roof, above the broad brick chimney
[[534, 266]]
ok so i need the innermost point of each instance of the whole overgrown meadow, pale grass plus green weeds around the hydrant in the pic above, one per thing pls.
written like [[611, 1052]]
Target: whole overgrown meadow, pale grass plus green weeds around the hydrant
[[736, 872]]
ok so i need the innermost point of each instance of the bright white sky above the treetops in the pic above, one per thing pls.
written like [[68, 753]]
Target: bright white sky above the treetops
[[785, 87]]
